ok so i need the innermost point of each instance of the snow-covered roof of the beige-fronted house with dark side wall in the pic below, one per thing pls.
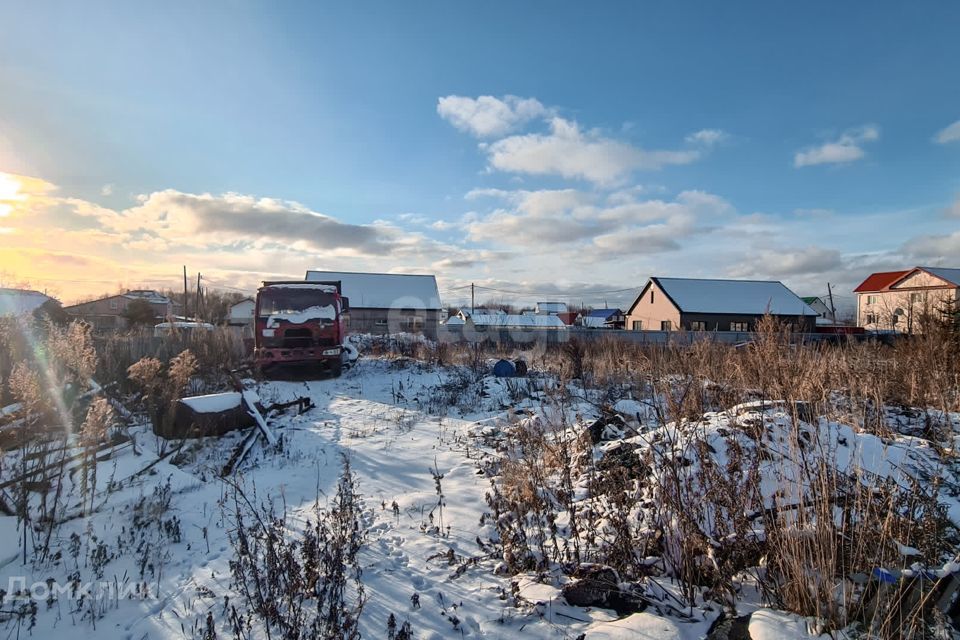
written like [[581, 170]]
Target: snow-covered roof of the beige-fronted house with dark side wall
[[739, 297]]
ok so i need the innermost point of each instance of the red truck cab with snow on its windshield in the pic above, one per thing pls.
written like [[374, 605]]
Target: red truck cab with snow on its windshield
[[300, 323]]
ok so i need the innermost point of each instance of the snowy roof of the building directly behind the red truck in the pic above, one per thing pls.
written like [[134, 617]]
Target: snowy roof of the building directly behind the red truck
[[384, 290]]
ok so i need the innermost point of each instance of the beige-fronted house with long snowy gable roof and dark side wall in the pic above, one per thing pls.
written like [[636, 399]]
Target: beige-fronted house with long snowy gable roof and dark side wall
[[668, 304]]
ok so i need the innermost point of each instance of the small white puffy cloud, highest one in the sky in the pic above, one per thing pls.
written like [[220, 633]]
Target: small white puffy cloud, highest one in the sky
[[487, 116]]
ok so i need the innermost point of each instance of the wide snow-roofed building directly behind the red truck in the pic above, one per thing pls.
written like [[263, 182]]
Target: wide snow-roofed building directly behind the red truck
[[382, 303]]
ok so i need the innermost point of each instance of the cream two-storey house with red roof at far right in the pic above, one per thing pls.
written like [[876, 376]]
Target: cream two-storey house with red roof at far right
[[903, 300]]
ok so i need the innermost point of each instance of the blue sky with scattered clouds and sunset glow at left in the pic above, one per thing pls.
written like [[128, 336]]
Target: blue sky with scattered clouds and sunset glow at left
[[538, 149]]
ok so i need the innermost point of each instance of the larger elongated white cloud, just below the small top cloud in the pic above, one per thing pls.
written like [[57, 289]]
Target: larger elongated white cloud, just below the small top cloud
[[571, 153]]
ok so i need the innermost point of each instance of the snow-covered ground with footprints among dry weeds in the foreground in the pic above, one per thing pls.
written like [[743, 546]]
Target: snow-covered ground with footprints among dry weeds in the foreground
[[156, 549]]
